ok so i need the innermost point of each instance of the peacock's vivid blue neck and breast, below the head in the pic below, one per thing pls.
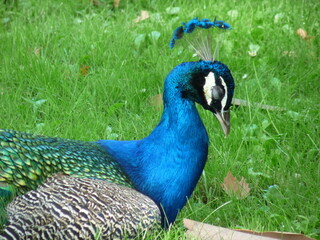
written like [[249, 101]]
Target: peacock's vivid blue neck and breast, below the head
[[167, 164]]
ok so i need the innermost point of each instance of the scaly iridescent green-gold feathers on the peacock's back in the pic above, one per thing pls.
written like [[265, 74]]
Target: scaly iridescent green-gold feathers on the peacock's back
[[26, 160]]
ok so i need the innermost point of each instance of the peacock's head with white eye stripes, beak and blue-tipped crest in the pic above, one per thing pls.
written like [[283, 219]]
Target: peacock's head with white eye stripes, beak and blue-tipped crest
[[208, 81]]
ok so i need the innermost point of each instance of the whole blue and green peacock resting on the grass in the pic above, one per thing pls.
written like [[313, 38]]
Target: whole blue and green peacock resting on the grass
[[67, 187]]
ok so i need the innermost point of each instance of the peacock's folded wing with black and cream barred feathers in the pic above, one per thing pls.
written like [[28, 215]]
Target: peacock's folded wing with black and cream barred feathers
[[67, 207]]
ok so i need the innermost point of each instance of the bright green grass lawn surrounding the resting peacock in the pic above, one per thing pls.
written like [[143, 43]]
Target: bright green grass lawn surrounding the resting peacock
[[45, 43]]
